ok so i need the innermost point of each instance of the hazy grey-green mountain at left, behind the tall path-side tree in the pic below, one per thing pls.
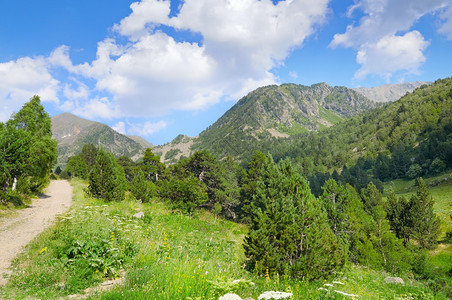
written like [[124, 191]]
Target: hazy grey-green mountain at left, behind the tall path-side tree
[[72, 133]]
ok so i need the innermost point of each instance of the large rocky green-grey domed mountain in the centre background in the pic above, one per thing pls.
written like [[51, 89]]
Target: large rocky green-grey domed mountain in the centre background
[[279, 111]]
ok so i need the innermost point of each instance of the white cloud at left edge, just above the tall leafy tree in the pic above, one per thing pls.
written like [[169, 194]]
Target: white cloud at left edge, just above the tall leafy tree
[[23, 78]]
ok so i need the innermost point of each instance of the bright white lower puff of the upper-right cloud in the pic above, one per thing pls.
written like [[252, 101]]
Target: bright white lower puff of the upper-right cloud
[[391, 54]]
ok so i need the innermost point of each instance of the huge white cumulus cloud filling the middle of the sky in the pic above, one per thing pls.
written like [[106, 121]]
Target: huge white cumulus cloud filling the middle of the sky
[[240, 42]]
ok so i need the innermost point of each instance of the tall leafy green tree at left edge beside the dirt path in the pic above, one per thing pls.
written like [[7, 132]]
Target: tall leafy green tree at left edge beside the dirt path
[[27, 151]]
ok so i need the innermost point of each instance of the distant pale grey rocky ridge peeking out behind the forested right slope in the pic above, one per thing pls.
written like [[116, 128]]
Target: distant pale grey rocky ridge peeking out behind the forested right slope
[[389, 92]]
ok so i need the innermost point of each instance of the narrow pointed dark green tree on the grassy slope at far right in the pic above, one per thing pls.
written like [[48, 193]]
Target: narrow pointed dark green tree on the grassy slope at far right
[[425, 224]]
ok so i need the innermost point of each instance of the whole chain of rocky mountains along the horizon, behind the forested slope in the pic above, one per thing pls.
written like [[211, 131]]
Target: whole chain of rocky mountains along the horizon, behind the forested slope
[[265, 114]]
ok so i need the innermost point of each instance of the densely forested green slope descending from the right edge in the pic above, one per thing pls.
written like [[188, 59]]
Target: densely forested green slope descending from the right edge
[[415, 129]]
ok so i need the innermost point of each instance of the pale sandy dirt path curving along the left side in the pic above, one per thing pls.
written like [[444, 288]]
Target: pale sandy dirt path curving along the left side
[[18, 231]]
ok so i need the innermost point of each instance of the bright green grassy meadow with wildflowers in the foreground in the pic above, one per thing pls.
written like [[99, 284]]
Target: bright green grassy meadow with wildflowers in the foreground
[[166, 255]]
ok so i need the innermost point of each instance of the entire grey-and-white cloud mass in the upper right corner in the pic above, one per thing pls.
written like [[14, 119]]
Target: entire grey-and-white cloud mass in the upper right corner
[[382, 38]]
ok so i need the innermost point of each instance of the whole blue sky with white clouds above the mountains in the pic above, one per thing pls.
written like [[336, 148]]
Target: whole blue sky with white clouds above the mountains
[[159, 68]]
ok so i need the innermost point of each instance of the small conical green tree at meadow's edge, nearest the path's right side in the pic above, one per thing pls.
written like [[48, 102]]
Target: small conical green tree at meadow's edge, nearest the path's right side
[[106, 179]]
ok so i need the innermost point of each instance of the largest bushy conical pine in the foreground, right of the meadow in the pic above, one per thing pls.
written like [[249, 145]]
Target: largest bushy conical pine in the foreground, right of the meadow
[[289, 233]]
